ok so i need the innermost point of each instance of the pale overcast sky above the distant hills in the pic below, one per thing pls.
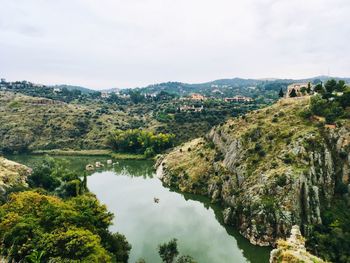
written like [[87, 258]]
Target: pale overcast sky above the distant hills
[[130, 43]]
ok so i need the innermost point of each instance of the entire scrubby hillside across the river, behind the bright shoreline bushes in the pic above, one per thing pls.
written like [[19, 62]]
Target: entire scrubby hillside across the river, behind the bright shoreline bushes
[[30, 124]]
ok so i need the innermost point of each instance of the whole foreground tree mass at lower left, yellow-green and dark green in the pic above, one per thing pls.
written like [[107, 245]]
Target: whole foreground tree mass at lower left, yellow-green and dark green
[[56, 219]]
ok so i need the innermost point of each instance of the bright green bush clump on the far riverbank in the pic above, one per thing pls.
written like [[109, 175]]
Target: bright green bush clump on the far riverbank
[[140, 141]]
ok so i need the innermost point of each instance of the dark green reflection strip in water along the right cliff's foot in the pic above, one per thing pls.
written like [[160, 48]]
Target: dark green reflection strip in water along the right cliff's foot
[[254, 254]]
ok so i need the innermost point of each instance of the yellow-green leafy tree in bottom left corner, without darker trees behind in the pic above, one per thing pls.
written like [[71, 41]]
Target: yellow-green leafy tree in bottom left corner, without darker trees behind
[[65, 230]]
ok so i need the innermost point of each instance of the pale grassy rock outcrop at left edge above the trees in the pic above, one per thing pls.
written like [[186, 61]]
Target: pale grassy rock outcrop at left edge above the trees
[[12, 174]]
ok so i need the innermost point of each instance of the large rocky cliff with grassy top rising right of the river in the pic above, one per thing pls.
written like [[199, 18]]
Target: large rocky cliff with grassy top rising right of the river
[[271, 169]]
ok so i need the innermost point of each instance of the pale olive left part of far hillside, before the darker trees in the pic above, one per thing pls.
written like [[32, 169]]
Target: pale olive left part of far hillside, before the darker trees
[[30, 123]]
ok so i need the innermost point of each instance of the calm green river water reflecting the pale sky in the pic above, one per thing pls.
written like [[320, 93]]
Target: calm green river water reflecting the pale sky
[[129, 188]]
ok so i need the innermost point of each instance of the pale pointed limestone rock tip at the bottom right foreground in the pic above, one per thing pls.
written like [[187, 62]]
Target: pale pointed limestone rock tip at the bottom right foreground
[[293, 250]]
